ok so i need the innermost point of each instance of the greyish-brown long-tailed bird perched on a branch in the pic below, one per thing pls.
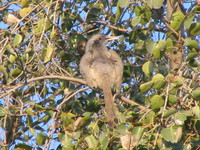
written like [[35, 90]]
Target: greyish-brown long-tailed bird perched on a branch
[[103, 68]]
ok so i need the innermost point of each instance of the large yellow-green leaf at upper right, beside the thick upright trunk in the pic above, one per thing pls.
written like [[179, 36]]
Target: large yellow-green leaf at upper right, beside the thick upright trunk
[[177, 20]]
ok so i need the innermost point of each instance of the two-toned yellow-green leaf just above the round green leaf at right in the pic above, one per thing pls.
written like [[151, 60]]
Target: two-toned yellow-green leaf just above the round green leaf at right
[[158, 81]]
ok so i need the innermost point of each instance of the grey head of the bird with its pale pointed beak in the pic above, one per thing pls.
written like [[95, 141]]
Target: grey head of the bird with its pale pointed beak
[[99, 40]]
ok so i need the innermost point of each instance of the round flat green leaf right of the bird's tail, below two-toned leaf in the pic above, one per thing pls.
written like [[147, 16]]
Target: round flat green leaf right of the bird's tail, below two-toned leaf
[[157, 102]]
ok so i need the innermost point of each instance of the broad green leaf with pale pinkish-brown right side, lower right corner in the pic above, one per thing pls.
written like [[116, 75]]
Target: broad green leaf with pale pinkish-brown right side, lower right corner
[[172, 134]]
